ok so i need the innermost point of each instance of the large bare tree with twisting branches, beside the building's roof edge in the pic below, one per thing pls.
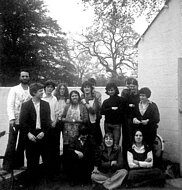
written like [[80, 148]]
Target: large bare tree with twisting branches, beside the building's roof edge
[[111, 40]]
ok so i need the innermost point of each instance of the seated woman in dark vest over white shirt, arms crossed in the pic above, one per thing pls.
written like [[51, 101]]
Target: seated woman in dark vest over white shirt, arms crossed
[[140, 162]]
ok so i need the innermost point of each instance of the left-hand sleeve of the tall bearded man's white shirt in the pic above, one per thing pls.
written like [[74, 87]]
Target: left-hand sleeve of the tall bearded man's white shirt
[[11, 104]]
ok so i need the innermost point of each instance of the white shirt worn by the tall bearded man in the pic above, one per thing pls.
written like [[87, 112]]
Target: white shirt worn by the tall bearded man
[[17, 95]]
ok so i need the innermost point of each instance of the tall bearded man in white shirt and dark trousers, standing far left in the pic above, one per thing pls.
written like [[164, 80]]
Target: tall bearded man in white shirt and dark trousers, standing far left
[[14, 157]]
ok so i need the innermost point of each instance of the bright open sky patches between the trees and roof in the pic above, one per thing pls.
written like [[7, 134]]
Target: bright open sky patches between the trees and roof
[[72, 18]]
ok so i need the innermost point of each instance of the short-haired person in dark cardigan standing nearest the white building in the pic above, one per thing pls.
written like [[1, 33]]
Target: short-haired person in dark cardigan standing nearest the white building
[[146, 116]]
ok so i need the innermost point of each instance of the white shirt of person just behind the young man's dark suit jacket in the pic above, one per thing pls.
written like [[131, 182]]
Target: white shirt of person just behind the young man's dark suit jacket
[[52, 100]]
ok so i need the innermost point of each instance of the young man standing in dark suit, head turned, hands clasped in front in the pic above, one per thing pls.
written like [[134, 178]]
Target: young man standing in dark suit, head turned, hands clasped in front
[[35, 121]]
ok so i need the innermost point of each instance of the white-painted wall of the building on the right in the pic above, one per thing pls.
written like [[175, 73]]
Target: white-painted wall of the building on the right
[[159, 50]]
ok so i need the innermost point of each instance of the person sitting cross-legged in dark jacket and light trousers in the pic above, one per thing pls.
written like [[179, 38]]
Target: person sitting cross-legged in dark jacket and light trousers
[[108, 171]]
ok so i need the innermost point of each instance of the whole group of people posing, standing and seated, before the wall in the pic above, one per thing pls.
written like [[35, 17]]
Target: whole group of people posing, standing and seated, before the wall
[[39, 114]]
